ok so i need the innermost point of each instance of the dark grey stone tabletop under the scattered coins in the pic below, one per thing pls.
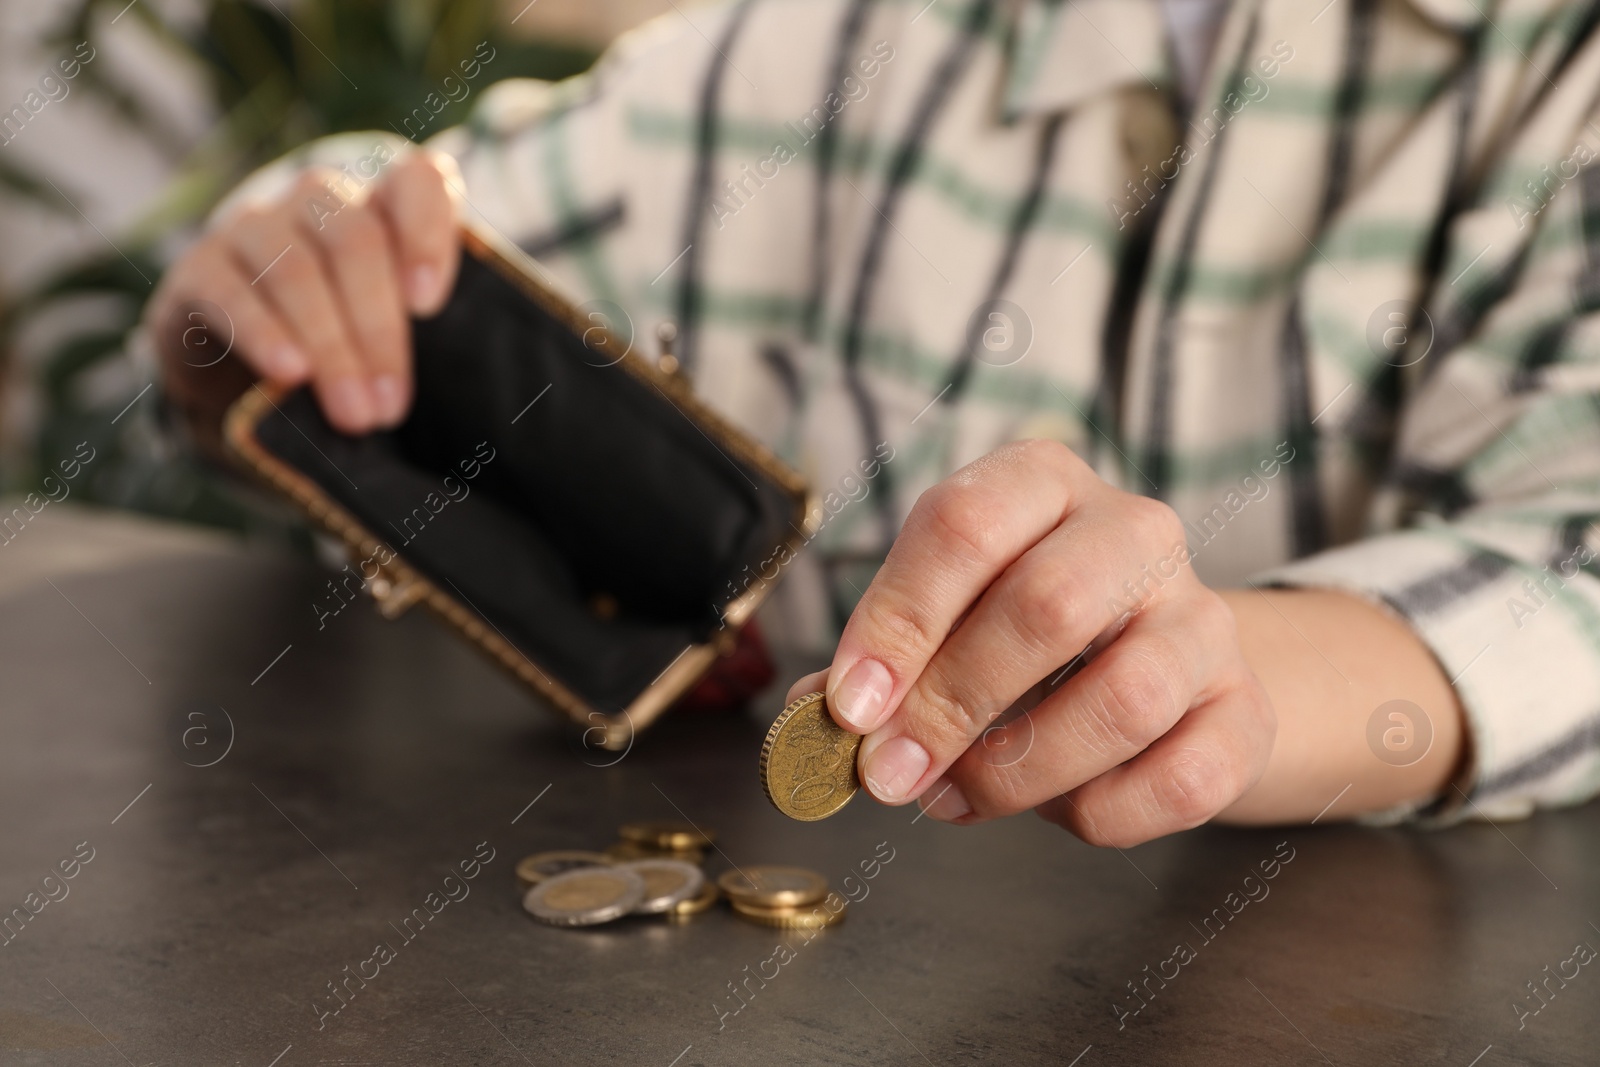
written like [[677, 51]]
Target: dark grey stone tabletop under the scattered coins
[[250, 807]]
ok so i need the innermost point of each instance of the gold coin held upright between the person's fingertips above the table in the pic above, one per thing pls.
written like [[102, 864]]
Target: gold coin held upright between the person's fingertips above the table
[[809, 762]]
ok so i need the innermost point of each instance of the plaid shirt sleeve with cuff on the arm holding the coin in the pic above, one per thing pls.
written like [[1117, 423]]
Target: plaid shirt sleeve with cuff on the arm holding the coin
[[1495, 490]]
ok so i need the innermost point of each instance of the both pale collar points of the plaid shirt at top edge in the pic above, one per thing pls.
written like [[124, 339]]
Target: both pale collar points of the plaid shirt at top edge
[[1068, 52]]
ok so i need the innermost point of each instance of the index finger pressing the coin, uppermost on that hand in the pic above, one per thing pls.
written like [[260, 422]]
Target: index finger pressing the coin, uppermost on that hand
[[958, 540]]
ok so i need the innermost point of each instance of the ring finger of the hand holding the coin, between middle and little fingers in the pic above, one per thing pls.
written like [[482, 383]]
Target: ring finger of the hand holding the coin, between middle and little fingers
[[1175, 657]]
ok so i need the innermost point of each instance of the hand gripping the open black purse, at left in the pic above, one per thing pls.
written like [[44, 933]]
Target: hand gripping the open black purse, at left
[[321, 289]]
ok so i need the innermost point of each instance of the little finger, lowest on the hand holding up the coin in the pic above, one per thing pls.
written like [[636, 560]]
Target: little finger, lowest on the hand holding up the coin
[[1186, 778]]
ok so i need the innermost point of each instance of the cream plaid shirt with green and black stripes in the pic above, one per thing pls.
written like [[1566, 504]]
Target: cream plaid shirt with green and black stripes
[[1340, 316]]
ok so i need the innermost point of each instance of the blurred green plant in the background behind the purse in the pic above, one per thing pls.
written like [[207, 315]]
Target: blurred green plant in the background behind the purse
[[281, 73]]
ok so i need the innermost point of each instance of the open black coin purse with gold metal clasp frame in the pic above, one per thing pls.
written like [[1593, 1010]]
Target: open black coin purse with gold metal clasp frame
[[561, 500]]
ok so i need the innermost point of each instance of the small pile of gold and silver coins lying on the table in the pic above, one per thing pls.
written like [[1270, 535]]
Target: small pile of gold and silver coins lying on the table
[[655, 869]]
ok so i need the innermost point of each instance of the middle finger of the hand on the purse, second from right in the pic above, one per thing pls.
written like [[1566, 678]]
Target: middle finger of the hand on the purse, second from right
[[358, 250]]
